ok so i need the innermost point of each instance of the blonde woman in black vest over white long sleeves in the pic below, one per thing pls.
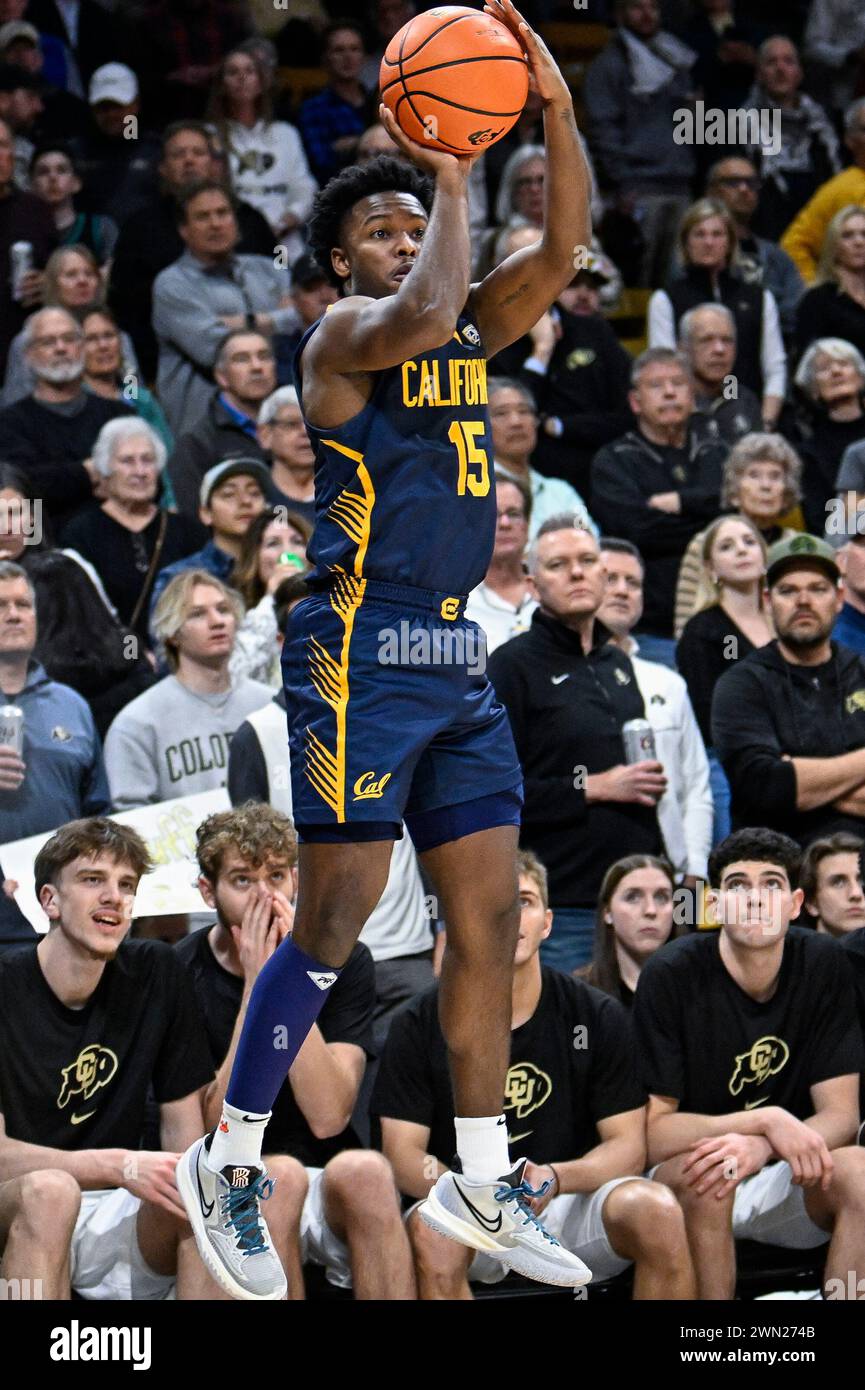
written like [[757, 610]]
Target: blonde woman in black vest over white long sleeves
[[709, 273]]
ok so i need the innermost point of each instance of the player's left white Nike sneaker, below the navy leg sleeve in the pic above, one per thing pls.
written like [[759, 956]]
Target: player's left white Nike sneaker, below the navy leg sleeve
[[232, 1235]]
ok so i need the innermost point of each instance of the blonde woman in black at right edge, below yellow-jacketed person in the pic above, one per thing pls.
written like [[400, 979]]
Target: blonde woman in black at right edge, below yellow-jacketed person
[[835, 308]]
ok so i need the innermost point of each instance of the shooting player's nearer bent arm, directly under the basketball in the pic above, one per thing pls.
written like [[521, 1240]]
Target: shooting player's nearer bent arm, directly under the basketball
[[362, 334]]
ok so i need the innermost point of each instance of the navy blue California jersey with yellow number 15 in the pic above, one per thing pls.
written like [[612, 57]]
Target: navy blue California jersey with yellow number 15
[[405, 490]]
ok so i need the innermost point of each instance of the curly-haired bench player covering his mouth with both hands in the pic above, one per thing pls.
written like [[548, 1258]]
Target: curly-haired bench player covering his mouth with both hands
[[347, 1210]]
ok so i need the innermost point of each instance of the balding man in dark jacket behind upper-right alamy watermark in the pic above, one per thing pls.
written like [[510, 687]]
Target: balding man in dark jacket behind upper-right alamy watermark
[[809, 152]]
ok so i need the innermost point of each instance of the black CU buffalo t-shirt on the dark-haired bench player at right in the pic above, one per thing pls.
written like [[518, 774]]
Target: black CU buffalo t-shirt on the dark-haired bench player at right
[[716, 1050]]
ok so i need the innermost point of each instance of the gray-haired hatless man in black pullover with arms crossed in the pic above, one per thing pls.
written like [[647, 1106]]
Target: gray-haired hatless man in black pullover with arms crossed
[[658, 486]]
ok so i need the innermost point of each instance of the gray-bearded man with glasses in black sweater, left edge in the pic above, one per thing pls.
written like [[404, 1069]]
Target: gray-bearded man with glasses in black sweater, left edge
[[49, 434]]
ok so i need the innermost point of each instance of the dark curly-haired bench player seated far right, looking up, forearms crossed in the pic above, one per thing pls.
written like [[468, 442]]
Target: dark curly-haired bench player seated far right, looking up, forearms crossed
[[753, 1053]]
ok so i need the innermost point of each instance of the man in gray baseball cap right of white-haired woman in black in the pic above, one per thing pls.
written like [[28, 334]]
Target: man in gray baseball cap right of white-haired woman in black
[[230, 498]]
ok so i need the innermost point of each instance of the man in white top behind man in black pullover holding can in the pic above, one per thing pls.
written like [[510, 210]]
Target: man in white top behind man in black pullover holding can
[[685, 812]]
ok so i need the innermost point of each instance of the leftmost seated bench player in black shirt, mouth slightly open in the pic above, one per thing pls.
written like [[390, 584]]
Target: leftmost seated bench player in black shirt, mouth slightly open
[[91, 1024]]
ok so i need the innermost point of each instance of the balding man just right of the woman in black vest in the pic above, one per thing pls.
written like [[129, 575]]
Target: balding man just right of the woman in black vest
[[724, 408]]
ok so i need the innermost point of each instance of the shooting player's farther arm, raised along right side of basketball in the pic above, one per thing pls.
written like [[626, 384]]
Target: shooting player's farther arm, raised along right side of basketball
[[514, 297]]
